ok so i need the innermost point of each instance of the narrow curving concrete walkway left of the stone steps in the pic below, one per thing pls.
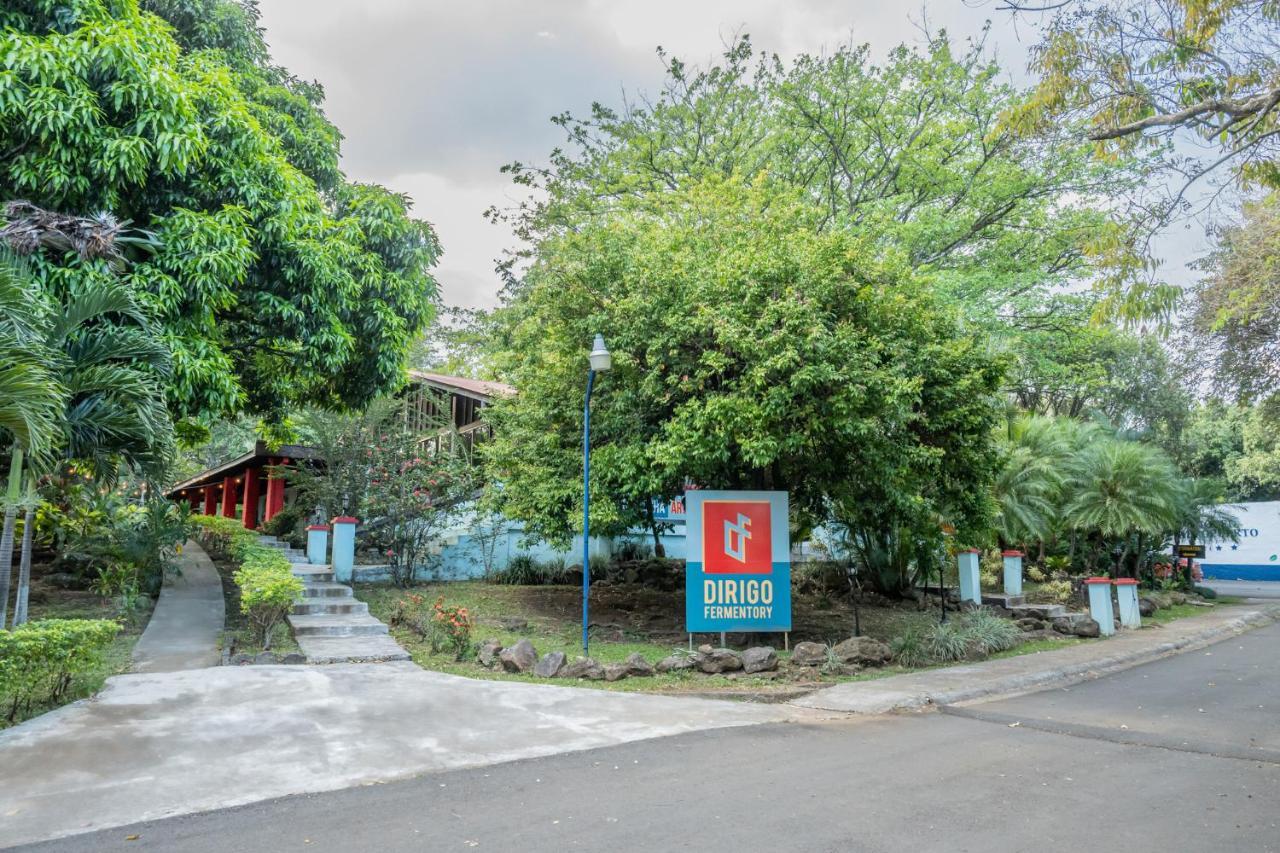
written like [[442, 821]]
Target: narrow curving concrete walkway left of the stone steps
[[188, 621]]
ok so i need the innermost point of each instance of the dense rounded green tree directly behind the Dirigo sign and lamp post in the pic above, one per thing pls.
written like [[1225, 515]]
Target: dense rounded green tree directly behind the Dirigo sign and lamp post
[[752, 350]]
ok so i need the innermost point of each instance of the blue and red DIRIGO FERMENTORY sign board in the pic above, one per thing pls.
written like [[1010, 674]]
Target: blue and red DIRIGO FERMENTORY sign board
[[738, 569]]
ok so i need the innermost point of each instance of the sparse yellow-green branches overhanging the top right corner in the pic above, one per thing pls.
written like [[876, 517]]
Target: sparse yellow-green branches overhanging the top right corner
[[1141, 74]]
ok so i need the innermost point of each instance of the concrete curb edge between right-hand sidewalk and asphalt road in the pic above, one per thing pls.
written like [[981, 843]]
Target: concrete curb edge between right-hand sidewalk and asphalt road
[[1069, 674]]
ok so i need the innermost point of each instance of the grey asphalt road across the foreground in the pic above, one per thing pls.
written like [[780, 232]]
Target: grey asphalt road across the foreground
[[1180, 755]]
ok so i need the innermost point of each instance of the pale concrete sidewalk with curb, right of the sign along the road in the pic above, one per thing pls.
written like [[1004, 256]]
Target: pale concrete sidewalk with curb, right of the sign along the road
[[1040, 670]]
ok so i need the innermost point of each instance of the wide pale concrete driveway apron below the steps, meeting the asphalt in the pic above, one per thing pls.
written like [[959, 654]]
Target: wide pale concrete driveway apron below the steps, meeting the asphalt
[[158, 745]]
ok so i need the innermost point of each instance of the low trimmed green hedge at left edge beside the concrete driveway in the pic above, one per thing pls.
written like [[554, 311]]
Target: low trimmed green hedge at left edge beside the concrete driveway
[[42, 660]]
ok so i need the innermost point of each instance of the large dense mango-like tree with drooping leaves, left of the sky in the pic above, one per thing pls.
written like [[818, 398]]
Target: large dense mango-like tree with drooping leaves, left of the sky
[[273, 280]]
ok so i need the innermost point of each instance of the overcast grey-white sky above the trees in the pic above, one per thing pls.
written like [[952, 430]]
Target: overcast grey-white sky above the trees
[[433, 98]]
